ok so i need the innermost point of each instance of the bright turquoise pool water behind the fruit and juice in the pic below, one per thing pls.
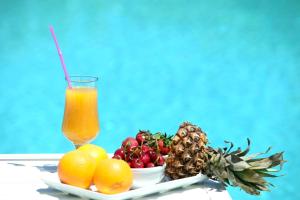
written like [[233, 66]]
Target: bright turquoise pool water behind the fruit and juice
[[232, 67]]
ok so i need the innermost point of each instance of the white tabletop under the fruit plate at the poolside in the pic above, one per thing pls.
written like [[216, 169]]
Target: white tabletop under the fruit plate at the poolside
[[20, 179]]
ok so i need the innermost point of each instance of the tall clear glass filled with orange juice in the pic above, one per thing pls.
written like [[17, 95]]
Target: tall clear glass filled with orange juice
[[80, 122]]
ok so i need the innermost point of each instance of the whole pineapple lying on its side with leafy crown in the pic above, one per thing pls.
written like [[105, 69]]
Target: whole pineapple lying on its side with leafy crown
[[190, 155]]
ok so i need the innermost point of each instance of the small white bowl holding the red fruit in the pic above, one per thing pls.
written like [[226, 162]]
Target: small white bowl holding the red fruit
[[147, 176]]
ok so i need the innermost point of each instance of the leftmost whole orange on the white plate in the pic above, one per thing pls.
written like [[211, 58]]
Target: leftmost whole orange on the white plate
[[76, 168]]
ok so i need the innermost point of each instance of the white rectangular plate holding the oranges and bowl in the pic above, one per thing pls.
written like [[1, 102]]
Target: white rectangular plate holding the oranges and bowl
[[51, 179]]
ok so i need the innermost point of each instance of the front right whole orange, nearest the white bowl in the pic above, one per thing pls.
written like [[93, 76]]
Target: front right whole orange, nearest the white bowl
[[113, 176]]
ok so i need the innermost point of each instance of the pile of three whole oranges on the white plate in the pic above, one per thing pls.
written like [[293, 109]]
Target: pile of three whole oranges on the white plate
[[90, 165]]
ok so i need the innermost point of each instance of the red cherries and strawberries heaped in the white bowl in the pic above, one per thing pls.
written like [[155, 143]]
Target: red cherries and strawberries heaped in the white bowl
[[145, 150]]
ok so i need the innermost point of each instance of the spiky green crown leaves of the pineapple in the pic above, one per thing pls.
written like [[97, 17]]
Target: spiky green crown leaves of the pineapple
[[235, 168]]
